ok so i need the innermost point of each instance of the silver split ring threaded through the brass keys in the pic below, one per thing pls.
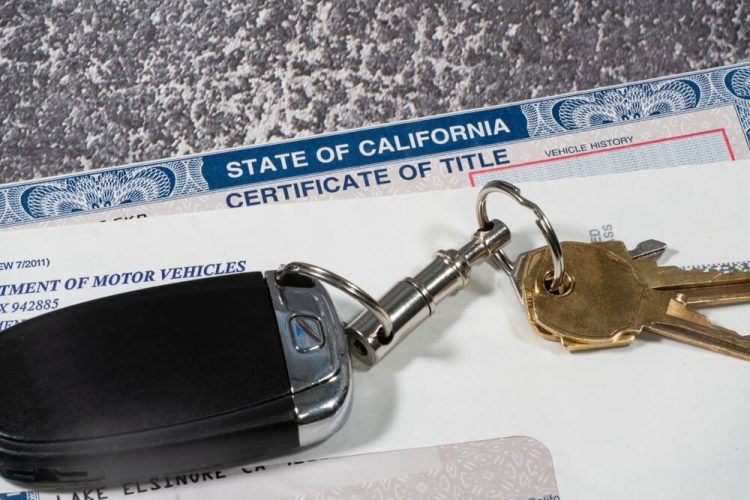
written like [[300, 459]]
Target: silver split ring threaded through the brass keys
[[542, 222]]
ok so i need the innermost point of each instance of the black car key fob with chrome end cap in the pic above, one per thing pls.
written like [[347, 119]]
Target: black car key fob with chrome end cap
[[180, 377]]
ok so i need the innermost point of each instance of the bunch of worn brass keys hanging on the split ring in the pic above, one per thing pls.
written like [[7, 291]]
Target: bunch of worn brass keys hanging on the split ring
[[608, 298]]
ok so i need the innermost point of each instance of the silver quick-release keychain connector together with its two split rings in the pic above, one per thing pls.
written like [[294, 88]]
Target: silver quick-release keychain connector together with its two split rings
[[386, 322]]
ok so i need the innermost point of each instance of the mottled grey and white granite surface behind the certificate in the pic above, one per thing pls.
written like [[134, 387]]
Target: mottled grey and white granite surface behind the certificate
[[90, 84]]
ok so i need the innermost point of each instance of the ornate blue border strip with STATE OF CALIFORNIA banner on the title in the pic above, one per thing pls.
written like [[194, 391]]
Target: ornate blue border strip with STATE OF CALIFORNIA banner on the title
[[132, 185]]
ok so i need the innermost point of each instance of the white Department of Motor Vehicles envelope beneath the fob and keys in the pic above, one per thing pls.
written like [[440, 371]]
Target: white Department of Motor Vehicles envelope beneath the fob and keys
[[657, 419]]
